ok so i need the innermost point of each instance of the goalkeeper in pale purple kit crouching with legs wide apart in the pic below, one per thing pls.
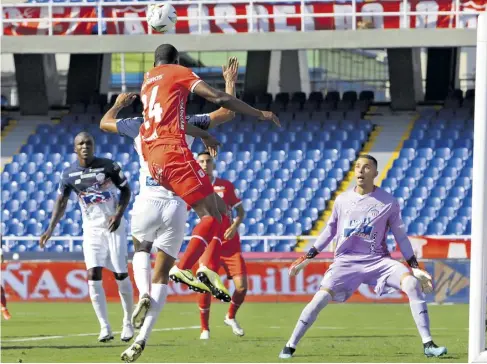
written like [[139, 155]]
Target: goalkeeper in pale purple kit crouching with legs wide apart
[[360, 220]]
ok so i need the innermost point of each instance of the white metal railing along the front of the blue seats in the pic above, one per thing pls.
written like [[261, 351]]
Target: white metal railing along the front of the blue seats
[[267, 239]]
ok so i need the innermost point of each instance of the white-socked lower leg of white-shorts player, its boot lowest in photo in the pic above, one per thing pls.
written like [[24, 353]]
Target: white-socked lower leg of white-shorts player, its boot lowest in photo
[[158, 295]]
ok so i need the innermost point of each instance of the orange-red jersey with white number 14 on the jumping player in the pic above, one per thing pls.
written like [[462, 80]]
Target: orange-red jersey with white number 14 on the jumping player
[[164, 94]]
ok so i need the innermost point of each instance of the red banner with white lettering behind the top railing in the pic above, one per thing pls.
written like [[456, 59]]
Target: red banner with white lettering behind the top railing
[[266, 17]]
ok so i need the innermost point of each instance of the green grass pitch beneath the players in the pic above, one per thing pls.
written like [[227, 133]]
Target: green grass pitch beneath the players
[[50, 332]]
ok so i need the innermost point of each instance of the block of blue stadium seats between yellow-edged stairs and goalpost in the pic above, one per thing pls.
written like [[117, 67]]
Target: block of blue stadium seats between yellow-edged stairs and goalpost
[[432, 175]]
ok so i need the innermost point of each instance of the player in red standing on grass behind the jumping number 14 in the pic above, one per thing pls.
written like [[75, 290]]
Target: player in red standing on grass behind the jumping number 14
[[231, 258]]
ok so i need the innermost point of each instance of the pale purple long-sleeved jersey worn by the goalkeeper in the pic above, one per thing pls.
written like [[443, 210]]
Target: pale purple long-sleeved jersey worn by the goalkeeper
[[360, 224]]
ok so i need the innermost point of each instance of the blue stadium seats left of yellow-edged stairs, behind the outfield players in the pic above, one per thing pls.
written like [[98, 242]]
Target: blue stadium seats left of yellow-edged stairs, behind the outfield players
[[284, 185]]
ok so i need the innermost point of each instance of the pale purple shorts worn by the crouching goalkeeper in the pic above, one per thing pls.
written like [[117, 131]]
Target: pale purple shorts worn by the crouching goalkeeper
[[345, 275]]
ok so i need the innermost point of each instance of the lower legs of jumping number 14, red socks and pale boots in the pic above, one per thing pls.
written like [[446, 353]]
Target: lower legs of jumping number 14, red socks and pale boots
[[206, 235]]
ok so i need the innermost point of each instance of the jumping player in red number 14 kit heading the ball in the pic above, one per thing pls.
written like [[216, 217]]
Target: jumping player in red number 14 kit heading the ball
[[164, 94]]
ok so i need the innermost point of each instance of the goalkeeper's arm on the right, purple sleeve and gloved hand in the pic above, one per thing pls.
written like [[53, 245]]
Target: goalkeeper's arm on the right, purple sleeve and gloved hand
[[399, 231]]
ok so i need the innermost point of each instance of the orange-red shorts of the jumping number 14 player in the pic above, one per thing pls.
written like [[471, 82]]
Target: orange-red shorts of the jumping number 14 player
[[174, 168]]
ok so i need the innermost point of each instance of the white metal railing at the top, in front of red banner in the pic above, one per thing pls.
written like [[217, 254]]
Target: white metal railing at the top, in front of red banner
[[199, 13]]
